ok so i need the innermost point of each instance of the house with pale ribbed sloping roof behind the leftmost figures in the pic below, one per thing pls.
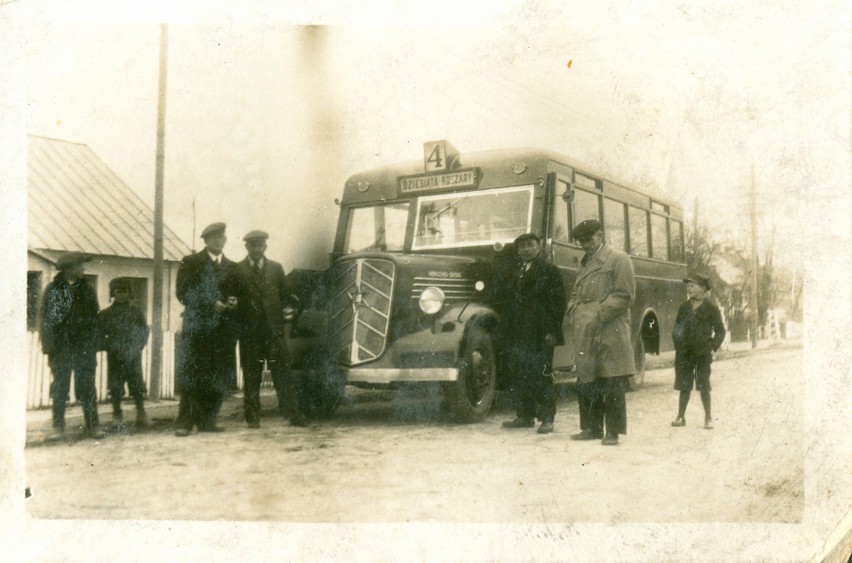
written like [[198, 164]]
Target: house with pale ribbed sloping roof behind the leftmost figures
[[75, 202]]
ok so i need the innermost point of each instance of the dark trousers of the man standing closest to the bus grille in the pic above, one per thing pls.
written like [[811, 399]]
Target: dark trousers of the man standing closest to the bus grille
[[255, 348]]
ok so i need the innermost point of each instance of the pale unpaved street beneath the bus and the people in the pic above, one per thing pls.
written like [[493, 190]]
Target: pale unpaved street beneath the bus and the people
[[388, 457]]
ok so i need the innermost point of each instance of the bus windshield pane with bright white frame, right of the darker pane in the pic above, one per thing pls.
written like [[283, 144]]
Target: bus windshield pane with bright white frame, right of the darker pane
[[472, 218]]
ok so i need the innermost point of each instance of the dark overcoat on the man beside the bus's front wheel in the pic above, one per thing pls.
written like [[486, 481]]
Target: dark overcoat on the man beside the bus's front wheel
[[535, 307]]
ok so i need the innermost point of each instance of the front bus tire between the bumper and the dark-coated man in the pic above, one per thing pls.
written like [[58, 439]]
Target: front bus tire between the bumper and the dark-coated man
[[469, 398]]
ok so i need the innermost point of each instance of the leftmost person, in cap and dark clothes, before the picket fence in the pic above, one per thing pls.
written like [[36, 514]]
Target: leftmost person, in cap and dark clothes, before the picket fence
[[69, 337]]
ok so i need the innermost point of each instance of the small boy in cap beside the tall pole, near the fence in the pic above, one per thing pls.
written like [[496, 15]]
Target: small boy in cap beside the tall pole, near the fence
[[123, 334]]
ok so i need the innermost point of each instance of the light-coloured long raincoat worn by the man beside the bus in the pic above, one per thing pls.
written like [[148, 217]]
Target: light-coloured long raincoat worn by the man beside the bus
[[599, 315]]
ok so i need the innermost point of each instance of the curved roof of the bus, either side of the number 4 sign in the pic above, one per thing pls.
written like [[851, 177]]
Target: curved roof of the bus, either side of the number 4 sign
[[488, 160]]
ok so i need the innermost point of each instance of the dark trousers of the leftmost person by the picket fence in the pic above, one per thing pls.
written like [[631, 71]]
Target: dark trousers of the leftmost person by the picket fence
[[83, 366]]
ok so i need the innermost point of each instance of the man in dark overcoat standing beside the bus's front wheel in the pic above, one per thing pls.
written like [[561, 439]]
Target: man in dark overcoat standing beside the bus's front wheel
[[531, 325]]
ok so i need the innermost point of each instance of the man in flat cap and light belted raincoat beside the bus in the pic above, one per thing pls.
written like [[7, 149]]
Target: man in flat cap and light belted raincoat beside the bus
[[599, 317]]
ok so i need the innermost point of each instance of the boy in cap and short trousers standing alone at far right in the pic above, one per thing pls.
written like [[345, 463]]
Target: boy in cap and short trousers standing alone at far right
[[697, 333]]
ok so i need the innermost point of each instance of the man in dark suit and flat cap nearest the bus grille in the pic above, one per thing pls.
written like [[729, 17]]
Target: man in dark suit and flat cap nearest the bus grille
[[262, 334]]
